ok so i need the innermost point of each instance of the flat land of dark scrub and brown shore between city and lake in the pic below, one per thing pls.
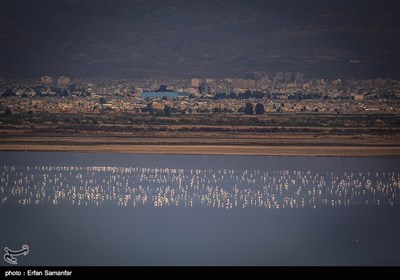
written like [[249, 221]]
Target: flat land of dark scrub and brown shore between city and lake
[[309, 135]]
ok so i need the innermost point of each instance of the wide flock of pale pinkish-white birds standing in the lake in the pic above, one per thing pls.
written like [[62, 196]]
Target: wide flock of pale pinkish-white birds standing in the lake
[[217, 188]]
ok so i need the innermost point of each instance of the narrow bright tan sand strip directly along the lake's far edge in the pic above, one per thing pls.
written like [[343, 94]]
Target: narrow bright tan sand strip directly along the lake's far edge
[[198, 149]]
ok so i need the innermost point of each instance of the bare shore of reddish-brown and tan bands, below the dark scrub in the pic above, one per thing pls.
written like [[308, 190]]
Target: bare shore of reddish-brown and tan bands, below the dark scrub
[[277, 144]]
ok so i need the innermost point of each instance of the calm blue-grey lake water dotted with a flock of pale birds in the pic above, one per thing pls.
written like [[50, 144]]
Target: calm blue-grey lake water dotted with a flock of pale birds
[[116, 209]]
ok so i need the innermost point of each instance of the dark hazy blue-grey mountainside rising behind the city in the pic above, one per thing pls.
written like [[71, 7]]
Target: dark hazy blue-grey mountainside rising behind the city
[[179, 39]]
